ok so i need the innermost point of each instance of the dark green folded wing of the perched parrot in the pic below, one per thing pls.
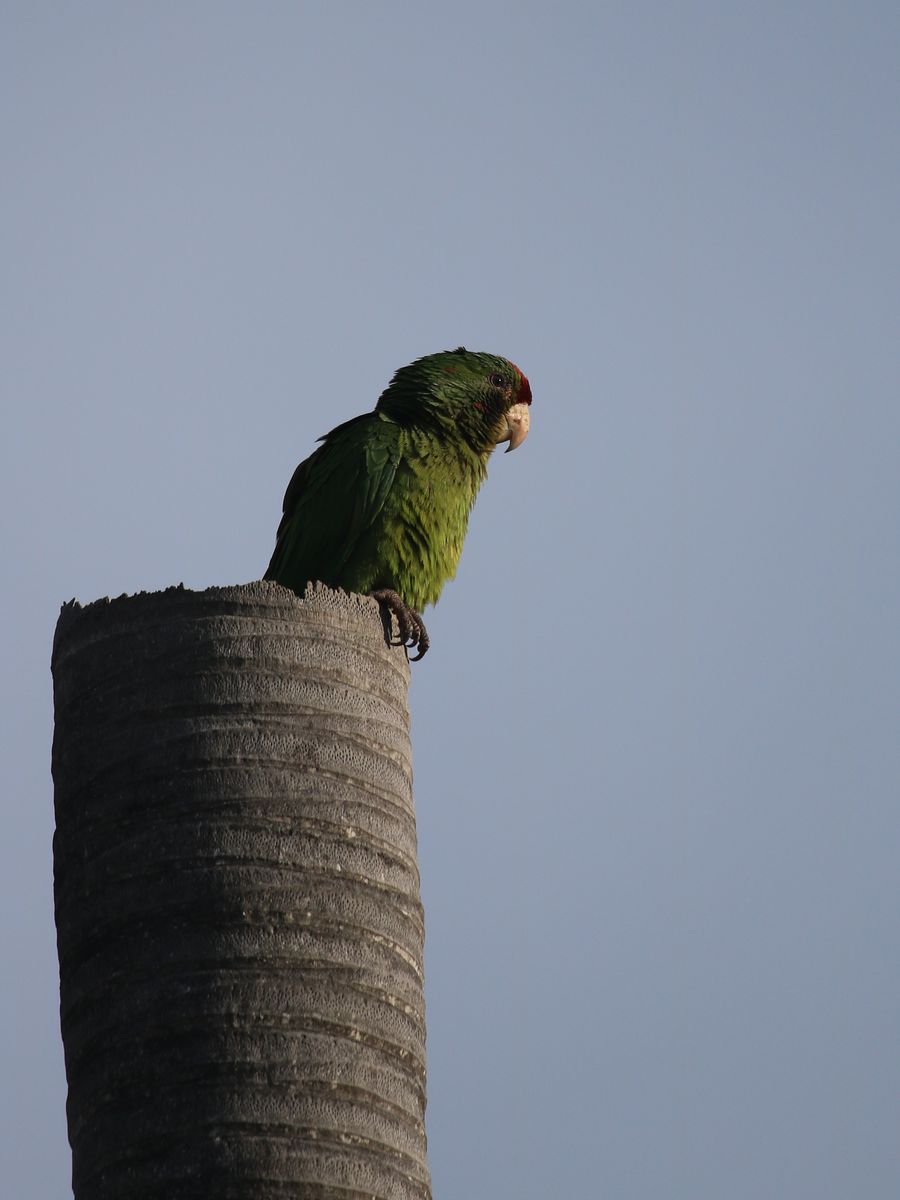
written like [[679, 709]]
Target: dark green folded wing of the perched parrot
[[332, 503]]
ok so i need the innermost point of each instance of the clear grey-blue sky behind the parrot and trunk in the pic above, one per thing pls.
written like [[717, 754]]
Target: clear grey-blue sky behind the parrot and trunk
[[656, 740]]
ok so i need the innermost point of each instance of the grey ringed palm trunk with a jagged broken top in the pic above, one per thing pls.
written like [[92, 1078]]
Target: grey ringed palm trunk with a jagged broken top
[[238, 914]]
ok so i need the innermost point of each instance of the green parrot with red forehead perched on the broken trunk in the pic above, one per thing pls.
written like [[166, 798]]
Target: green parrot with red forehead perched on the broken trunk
[[382, 507]]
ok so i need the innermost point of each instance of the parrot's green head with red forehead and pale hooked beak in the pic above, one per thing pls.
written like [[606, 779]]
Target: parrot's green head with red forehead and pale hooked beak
[[482, 399]]
